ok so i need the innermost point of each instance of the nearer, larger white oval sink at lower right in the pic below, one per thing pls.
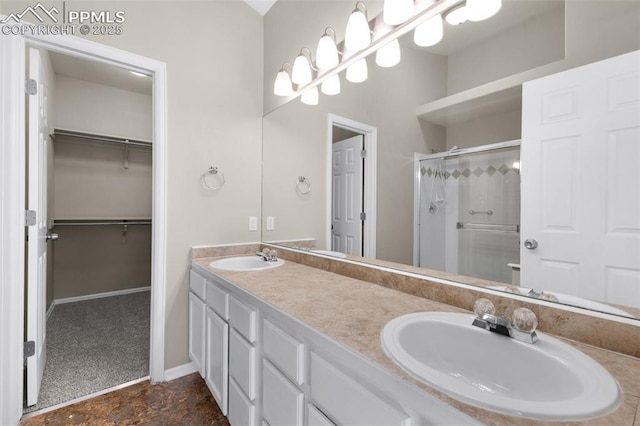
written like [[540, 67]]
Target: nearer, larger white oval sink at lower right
[[548, 380]]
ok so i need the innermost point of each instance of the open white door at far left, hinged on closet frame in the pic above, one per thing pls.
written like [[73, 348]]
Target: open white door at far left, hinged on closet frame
[[37, 241]]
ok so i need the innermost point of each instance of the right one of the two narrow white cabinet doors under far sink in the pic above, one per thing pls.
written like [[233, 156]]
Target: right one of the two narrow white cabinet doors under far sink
[[217, 369]]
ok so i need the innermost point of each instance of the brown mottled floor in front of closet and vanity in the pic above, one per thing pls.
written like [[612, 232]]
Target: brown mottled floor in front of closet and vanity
[[183, 401]]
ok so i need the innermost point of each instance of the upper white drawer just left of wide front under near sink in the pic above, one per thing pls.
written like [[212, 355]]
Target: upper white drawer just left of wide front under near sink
[[283, 351]]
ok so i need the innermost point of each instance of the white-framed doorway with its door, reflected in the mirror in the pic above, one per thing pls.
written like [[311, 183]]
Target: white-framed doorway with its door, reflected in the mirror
[[351, 186]]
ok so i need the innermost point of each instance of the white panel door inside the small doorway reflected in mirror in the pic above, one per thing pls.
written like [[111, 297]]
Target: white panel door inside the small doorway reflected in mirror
[[347, 192]]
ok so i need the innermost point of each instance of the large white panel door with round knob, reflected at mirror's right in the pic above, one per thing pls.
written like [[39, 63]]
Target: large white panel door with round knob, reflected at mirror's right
[[580, 181]]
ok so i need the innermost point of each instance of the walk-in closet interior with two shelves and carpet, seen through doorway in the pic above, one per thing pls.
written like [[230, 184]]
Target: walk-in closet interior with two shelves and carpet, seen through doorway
[[99, 203]]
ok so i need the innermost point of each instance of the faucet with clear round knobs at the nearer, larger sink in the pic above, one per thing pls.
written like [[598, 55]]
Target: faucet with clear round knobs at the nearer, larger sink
[[522, 328]]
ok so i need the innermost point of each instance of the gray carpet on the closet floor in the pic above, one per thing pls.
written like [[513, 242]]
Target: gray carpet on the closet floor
[[93, 345]]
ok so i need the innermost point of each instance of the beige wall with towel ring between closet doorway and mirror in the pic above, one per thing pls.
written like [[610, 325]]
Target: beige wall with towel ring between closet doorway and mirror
[[214, 56]]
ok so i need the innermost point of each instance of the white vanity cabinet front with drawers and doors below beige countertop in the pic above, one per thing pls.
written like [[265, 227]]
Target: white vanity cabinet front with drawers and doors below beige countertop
[[279, 371]]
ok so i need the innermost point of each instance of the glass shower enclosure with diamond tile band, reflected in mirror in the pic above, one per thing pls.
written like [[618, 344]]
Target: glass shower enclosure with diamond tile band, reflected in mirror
[[468, 211]]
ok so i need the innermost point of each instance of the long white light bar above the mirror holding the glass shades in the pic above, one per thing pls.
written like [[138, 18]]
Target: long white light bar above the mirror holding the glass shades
[[425, 9]]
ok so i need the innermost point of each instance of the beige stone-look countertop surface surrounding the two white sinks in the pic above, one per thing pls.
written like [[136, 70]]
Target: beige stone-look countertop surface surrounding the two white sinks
[[354, 312]]
